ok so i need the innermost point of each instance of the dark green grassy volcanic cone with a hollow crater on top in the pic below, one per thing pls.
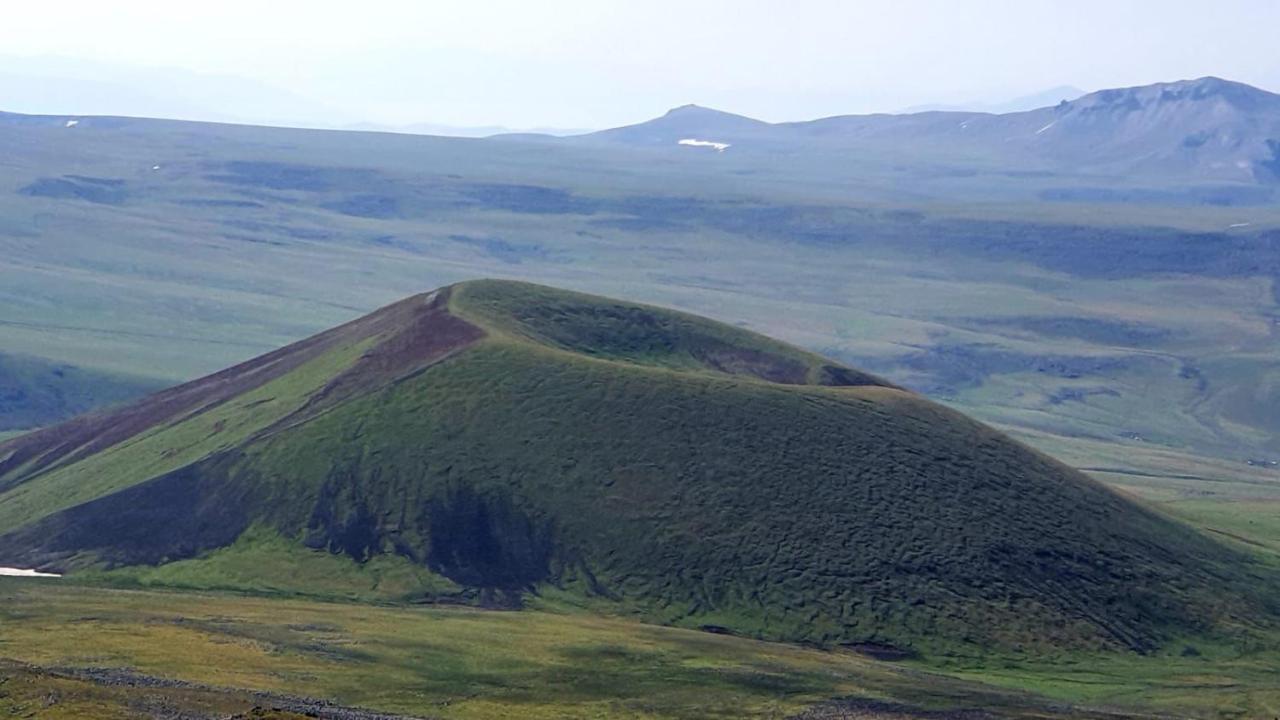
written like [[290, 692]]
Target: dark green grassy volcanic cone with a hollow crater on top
[[501, 444]]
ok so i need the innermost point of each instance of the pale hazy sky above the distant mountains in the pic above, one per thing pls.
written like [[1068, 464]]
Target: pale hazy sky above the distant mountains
[[597, 63]]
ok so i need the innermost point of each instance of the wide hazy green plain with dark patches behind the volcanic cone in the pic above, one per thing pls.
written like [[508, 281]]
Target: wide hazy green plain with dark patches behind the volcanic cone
[[1132, 325]]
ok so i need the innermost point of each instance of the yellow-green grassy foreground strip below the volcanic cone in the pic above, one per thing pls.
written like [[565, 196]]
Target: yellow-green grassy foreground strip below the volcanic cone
[[74, 651]]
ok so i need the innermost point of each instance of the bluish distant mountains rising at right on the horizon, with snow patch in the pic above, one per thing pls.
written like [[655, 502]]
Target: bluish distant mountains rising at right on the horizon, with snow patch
[[1208, 130]]
